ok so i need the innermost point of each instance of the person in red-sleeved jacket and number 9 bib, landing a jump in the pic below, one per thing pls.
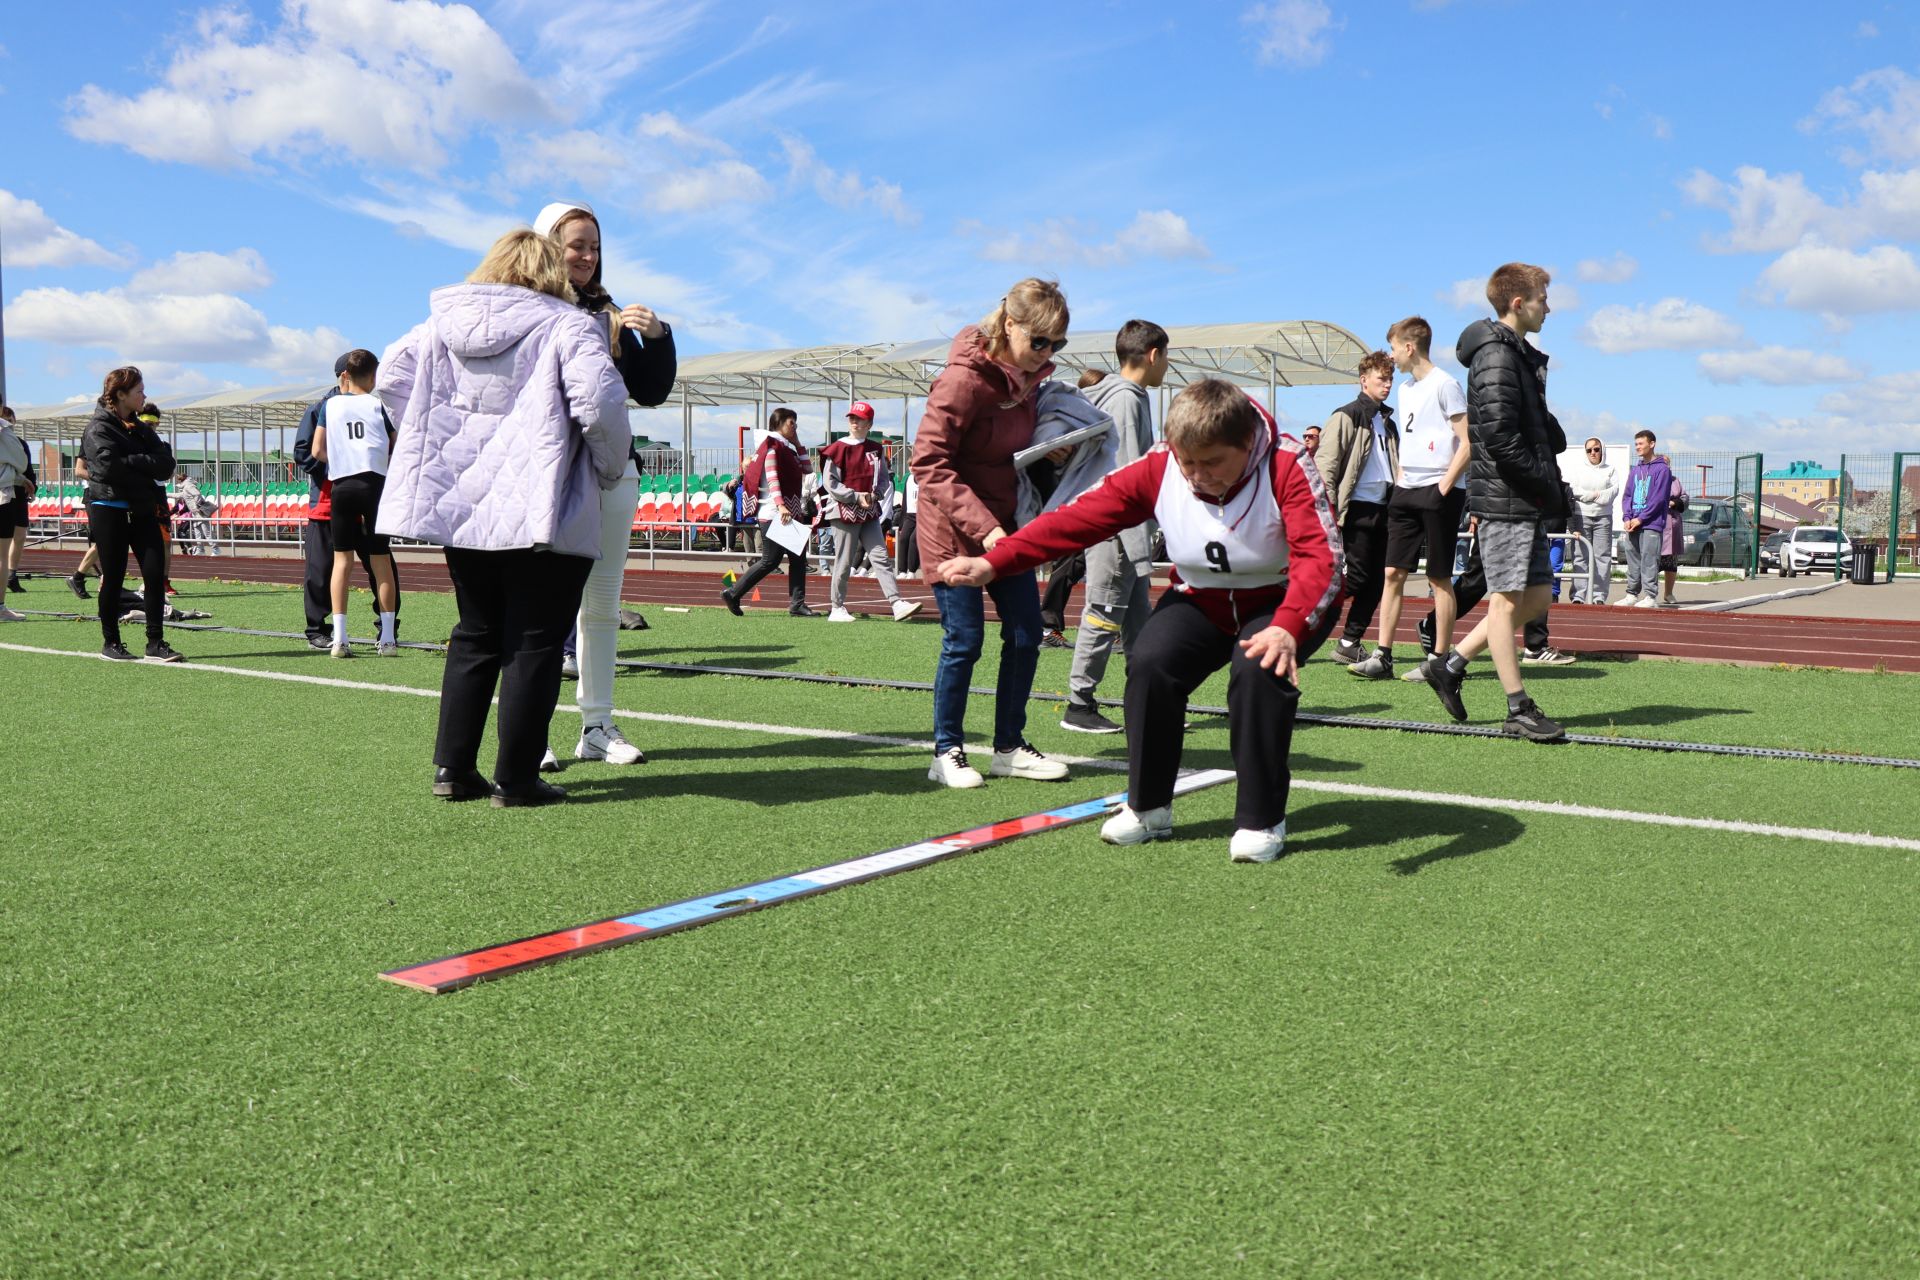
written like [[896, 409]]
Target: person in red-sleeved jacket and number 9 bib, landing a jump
[[1255, 546]]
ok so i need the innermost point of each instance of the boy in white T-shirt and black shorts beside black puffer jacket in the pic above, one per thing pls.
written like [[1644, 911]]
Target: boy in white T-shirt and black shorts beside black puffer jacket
[[1428, 492]]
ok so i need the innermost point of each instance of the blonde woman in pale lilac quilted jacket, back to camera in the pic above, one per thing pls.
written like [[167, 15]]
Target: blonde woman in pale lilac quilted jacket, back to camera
[[512, 419]]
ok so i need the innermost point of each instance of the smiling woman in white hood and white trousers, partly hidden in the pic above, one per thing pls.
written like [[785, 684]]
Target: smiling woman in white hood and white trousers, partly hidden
[[644, 352]]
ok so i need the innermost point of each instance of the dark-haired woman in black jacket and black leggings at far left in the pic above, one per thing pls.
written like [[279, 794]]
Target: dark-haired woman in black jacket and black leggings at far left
[[126, 462]]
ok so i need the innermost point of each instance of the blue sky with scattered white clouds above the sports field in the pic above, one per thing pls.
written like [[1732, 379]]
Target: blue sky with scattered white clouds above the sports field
[[1729, 195]]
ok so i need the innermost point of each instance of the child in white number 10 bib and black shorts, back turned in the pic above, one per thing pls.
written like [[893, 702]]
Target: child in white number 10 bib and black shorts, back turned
[[356, 440]]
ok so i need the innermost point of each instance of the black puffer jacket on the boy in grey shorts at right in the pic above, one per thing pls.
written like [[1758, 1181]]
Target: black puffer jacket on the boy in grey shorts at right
[[1516, 442]]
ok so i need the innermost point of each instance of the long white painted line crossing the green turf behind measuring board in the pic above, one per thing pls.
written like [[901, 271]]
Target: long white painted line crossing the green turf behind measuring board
[[1343, 790]]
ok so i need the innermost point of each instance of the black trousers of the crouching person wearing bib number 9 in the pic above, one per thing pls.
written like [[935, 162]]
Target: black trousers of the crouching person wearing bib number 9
[[1178, 650]]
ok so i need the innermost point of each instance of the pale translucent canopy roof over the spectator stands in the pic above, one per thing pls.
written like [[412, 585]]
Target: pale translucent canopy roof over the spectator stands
[[1266, 354]]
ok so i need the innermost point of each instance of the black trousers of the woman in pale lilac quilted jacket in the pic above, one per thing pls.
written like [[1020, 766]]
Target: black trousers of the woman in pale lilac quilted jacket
[[516, 611]]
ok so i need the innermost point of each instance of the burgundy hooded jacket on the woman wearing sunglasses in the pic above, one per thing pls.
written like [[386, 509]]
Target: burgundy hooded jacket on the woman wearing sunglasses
[[980, 414]]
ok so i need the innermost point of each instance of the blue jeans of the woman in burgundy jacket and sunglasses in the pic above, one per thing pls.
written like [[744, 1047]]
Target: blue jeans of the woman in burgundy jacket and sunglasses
[[965, 625]]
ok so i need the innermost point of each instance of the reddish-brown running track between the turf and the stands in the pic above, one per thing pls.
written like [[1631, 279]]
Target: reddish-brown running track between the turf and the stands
[[1760, 640]]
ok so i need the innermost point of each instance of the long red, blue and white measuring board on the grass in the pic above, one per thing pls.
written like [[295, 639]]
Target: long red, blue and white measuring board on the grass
[[491, 962]]
